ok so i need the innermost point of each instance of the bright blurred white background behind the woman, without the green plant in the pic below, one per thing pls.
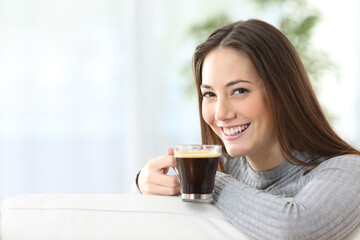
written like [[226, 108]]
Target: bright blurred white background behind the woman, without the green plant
[[90, 90]]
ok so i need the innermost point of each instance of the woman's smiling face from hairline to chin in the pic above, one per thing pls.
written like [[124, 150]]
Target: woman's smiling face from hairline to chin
[[235, 104]]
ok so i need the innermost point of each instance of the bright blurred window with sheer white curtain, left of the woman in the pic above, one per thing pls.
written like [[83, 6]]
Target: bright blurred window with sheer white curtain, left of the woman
[[61, 101]]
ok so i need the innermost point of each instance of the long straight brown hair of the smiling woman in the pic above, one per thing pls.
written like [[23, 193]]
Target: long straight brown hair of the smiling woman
[[299, 120]]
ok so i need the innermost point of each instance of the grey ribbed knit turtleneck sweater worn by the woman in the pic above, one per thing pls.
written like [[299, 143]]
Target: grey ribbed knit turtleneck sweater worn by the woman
[[325, 205]]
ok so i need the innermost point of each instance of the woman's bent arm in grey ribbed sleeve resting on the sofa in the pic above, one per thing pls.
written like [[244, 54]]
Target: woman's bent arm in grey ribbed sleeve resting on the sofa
[[327, 207]]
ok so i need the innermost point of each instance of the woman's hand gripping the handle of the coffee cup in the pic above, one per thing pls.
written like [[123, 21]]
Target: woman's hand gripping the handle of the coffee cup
[[153, 179]]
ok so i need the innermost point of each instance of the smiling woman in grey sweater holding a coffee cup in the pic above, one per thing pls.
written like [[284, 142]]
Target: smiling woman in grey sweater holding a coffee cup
[[256, 100]]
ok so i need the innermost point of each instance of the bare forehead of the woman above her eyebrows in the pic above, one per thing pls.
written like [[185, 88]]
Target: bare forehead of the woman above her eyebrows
[[223, 65]]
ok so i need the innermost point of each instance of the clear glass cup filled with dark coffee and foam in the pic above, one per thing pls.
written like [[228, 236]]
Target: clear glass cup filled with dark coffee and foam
[[197, 165]]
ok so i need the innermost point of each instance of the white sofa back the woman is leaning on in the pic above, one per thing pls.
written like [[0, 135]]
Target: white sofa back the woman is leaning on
[[107, 217]]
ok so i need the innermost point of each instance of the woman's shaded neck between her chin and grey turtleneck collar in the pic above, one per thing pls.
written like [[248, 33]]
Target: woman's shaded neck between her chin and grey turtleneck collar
[[265, 160]]
